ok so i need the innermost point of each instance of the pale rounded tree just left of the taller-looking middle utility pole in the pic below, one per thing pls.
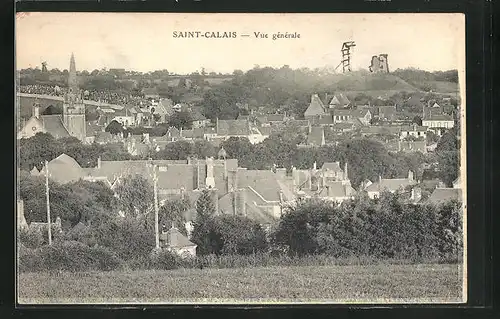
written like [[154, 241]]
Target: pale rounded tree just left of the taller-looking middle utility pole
[[134, 196]]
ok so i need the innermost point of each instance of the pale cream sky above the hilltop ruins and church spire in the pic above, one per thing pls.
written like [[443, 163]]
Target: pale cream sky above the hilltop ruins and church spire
[[144, 41]]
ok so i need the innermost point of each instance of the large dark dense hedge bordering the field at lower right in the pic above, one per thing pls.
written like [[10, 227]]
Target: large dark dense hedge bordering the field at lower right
[[386, 228]]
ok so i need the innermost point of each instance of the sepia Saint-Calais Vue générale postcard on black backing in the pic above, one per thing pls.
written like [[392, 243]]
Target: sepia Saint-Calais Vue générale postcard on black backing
[[224, 158]]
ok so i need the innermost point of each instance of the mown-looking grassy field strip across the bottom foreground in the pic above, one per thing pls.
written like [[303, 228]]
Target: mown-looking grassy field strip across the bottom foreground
[[377, 283]]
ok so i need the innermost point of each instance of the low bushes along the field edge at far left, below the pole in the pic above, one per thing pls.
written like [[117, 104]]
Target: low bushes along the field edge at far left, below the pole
[[68, 256]]
